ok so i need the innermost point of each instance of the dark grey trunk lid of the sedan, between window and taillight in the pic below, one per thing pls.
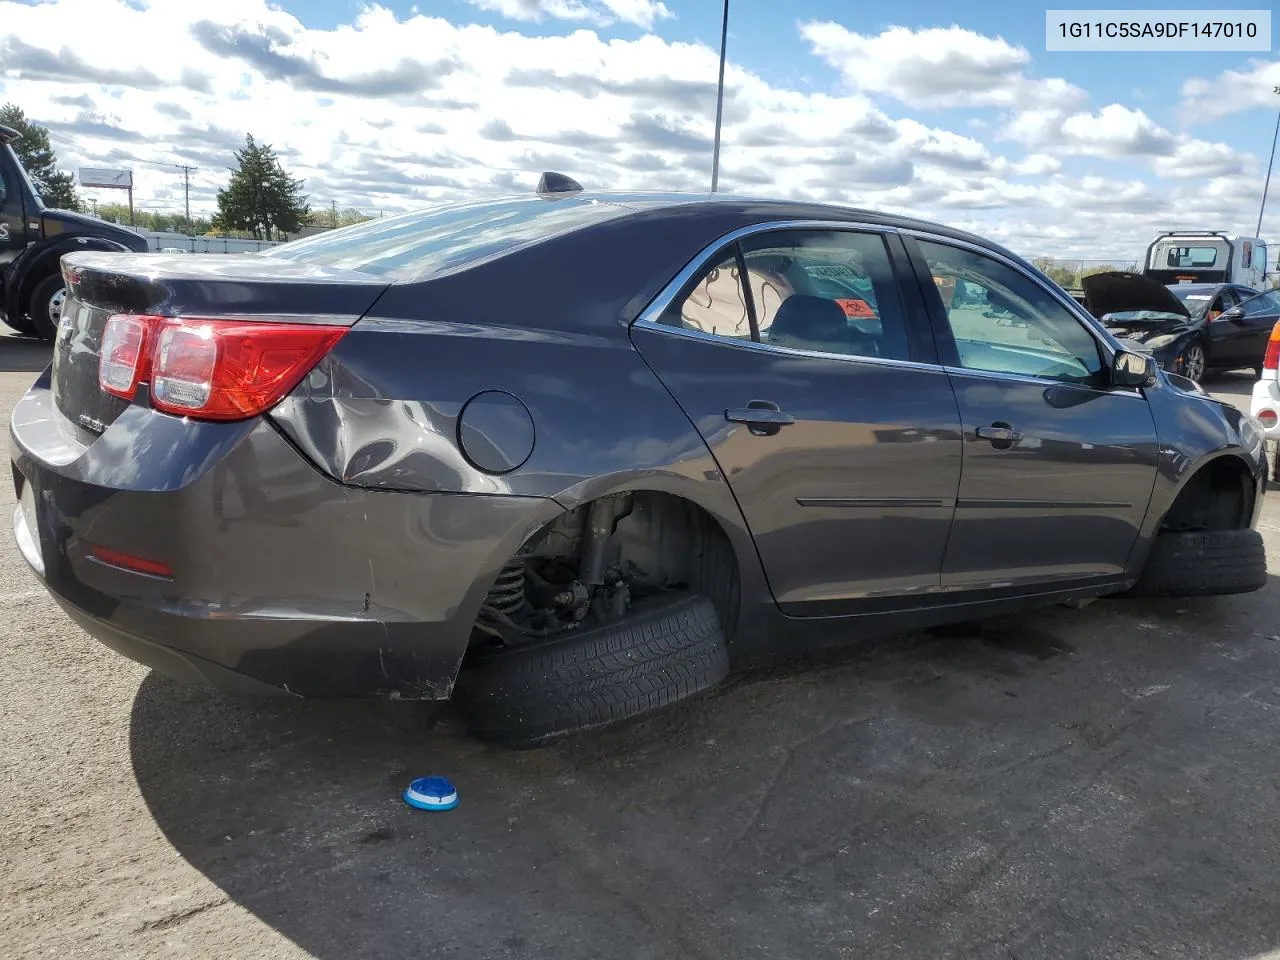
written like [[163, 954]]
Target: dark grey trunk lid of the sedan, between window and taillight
[[246, 287]]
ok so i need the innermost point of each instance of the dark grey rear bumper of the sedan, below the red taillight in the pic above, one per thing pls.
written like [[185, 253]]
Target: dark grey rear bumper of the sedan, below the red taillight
[[282, 580]]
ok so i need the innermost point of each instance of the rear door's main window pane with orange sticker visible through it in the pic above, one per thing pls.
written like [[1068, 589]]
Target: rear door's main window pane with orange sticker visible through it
[[826, 291]]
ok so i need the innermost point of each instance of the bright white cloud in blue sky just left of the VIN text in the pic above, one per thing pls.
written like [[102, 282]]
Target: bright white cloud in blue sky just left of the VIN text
[[936, 67]]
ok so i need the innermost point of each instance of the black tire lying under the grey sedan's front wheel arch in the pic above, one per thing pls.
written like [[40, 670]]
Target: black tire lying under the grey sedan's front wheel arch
[[1204, 564]]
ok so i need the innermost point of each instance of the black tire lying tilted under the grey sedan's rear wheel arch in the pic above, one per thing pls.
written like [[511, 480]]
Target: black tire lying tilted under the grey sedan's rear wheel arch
[[664, 652]]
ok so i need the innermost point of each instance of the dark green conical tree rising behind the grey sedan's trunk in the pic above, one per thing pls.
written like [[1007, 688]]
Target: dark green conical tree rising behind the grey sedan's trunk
[[262, 198]]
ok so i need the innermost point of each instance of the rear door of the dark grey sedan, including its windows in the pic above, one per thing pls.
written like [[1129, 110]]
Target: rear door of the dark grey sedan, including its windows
[[842, 447]]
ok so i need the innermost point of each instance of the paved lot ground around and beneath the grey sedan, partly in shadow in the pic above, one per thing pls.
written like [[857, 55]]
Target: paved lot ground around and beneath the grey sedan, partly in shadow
[[1096, 784]]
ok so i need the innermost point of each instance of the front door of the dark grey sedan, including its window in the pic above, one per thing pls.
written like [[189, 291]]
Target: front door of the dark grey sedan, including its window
[[1058, 467]]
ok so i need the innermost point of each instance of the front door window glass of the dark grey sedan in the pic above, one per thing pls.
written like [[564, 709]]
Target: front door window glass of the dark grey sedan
[[1007, 323]]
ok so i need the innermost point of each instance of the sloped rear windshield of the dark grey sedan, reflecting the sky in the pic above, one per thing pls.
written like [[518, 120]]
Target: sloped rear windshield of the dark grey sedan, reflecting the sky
[[446, 239]]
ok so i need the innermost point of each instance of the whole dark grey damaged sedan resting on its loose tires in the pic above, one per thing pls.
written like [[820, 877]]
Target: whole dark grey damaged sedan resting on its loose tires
[[569, 459]]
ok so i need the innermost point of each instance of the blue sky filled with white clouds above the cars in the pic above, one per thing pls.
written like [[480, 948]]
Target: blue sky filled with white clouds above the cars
[[954, 113]]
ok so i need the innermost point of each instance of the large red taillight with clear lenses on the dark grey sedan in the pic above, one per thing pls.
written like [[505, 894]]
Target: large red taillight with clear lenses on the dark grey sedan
[[211, 369]]
